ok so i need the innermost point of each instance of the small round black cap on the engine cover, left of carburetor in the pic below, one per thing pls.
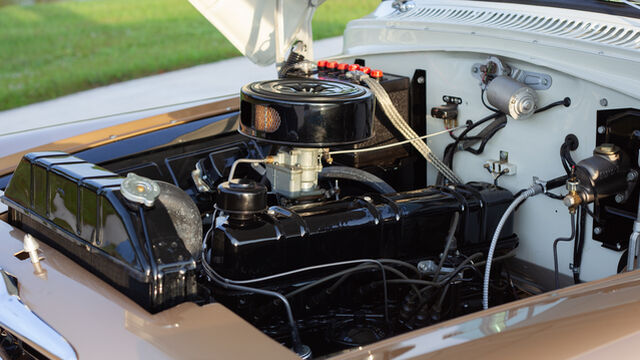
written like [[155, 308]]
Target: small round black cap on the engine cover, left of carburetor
[[241, 197]]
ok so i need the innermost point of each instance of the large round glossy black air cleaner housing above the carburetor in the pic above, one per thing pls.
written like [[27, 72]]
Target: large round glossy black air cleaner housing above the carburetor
[[306, 112]]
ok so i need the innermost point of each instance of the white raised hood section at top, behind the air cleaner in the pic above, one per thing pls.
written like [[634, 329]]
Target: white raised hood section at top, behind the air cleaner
[[263, 30]]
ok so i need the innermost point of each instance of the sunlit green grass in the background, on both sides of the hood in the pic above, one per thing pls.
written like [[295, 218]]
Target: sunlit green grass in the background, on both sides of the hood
[[53, 49]]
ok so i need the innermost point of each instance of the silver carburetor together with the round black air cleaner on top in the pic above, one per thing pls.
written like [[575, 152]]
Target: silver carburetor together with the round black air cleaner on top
[[302, 117]]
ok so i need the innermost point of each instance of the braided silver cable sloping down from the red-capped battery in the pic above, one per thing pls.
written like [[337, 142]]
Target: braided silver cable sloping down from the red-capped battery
[[406, 131]]
